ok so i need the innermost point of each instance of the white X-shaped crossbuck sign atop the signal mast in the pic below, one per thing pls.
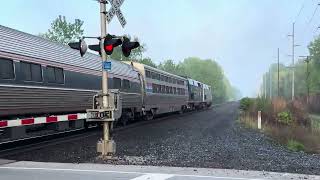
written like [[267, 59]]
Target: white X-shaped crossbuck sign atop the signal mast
[[115, 9]]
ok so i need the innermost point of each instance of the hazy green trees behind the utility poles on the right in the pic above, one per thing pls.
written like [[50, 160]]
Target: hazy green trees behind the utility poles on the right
[[305, 77]]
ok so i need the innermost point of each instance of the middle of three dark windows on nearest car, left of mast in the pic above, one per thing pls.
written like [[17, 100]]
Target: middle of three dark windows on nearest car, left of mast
[[31, 71]]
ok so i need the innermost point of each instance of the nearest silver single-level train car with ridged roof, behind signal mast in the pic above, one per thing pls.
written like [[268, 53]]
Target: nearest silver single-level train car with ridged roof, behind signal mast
[[40, 77]]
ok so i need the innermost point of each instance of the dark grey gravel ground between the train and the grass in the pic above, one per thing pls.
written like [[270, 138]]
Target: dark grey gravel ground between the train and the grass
[[207, 139]]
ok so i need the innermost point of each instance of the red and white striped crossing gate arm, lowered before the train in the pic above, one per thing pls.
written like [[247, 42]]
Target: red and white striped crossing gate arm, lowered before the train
[[42, 120]]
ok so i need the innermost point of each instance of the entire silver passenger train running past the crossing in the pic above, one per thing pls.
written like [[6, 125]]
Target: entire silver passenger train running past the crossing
[[39, 77]]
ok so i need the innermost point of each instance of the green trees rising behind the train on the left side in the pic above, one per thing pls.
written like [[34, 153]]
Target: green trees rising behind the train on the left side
[[204, 70]]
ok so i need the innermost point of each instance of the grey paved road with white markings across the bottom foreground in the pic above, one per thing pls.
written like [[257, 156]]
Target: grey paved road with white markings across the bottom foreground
[[97, 171]]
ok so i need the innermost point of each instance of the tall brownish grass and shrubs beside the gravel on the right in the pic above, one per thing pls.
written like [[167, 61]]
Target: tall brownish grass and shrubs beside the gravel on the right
[[286, 122]]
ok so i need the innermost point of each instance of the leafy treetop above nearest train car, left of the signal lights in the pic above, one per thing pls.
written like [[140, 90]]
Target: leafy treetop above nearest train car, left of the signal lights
[[64, 32]]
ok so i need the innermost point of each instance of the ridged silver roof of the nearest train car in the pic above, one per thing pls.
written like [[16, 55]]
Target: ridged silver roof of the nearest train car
[[21, 43]]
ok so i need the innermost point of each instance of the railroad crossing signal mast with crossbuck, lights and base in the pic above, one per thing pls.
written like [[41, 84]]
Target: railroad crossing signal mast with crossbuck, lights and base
[[107, 105]]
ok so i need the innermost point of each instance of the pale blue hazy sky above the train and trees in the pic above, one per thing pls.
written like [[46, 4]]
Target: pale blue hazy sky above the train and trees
[[241, 35]]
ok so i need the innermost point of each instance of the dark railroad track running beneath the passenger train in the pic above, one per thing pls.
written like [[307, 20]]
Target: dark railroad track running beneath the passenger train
[[38, 142]]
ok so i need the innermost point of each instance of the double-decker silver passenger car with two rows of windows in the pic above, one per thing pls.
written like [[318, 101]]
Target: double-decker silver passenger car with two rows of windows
[[162, 92]]
